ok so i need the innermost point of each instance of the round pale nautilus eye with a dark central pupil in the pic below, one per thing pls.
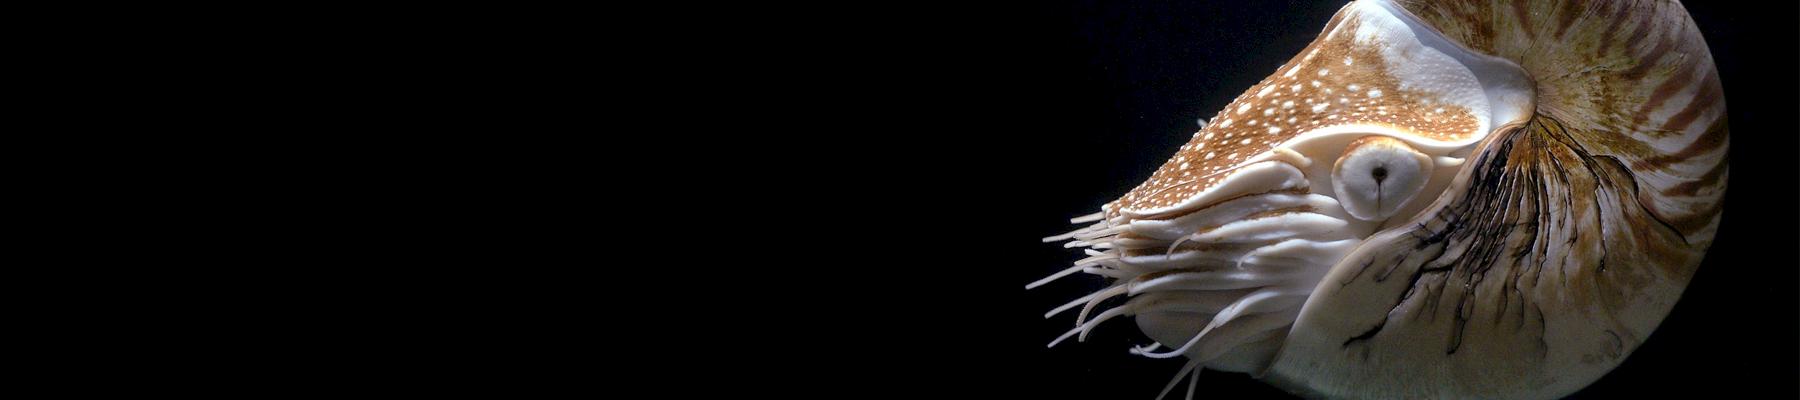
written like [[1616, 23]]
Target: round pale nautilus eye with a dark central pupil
[[1378, 176]]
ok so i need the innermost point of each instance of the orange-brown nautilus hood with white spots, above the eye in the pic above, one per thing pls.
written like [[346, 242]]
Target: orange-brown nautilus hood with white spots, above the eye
[[1371, 73]]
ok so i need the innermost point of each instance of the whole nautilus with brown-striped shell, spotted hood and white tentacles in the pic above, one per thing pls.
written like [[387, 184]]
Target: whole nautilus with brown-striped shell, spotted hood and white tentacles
[[1434, 199]]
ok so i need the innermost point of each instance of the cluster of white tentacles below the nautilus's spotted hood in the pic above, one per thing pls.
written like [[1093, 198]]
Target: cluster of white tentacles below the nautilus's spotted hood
[[1225, 282]]
